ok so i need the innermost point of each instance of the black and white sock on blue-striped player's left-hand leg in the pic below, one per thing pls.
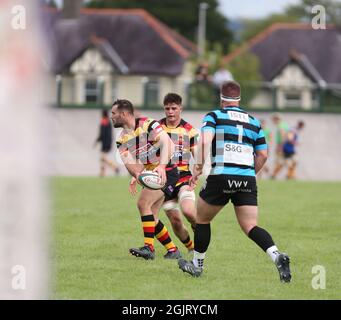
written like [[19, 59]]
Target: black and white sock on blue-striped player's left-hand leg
[[202, 238]]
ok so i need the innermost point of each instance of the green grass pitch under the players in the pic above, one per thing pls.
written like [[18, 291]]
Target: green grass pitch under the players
[[95, 221]]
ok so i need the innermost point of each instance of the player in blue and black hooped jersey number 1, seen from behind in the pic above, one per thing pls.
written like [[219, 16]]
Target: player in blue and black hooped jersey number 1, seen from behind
[[238, 152]]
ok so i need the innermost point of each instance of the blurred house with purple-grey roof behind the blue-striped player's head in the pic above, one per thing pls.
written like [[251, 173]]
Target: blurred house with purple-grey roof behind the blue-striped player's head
[[297, 64]]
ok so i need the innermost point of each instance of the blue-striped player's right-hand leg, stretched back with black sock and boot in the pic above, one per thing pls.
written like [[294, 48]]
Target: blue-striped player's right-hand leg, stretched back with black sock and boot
[[247, 216]]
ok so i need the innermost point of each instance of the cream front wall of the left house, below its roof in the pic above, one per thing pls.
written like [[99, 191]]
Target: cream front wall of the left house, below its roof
[[92, 65]]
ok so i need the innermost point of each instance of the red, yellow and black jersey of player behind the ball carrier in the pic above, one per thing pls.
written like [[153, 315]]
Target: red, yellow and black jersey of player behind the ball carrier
[[185, 138]]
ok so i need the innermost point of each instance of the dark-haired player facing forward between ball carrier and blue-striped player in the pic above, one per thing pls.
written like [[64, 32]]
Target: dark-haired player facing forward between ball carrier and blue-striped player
[[185, 138]]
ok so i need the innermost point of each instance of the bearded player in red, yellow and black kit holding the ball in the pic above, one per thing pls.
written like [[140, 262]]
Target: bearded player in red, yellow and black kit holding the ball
[[143, 144]]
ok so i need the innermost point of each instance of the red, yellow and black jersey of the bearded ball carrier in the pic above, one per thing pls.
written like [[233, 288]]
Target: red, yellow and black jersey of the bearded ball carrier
[[140, 142]]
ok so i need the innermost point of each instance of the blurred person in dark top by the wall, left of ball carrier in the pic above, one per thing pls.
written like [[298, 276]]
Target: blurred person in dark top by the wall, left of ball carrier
[[105, 137]]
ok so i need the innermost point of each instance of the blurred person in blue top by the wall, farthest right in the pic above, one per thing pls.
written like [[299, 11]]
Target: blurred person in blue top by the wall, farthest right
[[289, 149]]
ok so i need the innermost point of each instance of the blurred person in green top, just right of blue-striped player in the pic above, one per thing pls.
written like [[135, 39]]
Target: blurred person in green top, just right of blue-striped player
[[280, 136]]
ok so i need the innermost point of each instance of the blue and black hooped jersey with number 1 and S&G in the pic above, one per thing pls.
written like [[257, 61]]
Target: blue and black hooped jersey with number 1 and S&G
[[237, 136]]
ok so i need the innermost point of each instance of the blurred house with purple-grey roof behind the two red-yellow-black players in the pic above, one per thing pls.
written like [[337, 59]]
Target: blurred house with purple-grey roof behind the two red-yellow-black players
[[105, 54]]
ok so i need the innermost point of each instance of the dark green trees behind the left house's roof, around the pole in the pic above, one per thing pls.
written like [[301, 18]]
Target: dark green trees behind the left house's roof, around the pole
[[180, 15]]
